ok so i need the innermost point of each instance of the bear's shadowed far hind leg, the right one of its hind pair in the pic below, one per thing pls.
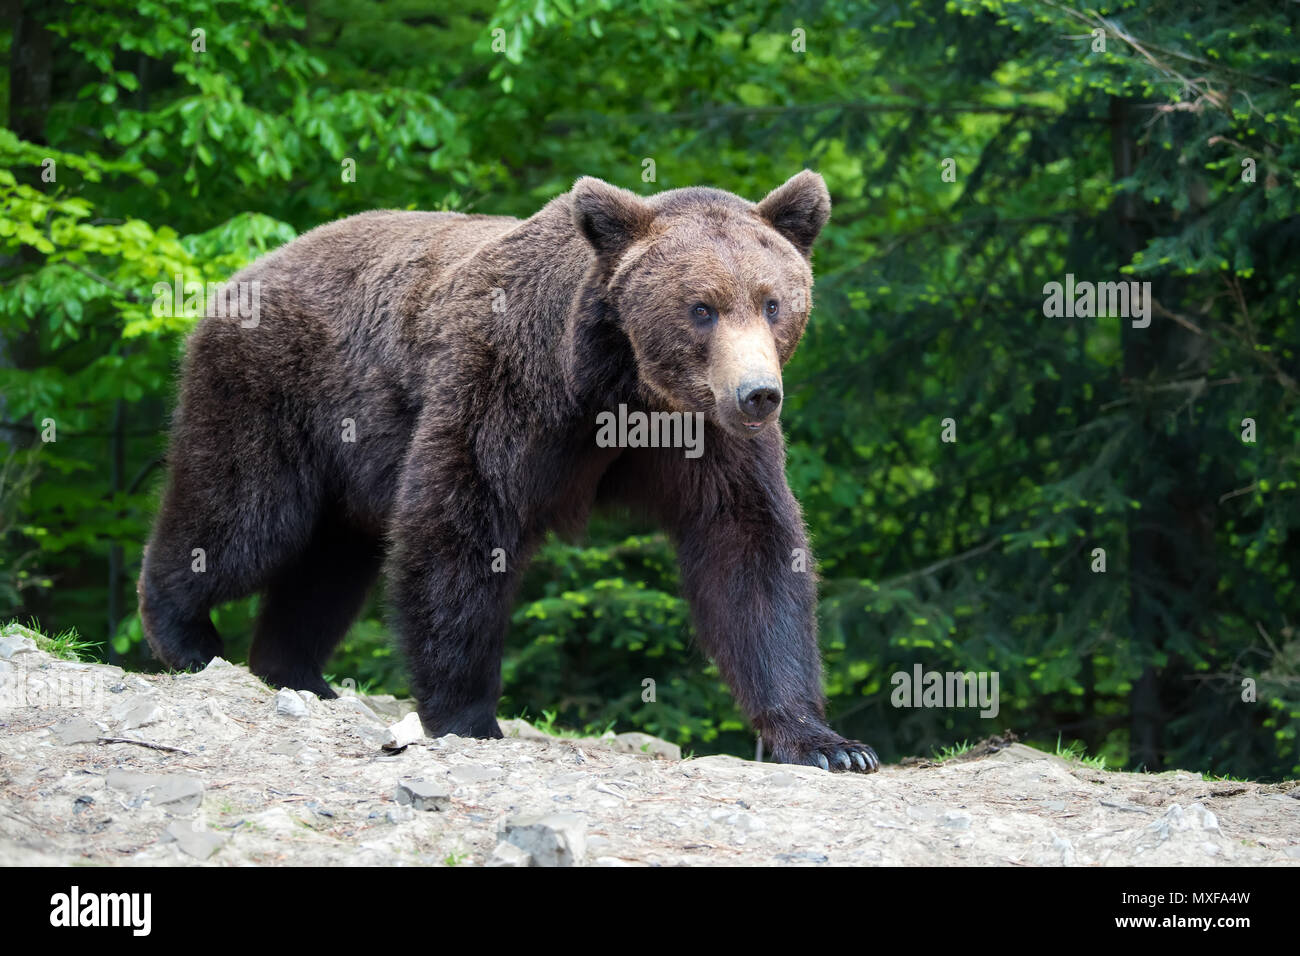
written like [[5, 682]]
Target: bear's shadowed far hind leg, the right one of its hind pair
[[310, 604]]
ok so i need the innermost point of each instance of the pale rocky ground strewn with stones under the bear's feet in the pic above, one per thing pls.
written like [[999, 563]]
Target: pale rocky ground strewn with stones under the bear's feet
[[101, 767]]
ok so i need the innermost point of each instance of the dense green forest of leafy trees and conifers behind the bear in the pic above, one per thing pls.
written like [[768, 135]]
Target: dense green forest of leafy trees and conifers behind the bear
[[976, 152]]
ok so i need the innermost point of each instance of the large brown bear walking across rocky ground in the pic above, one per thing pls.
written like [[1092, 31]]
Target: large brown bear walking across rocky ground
[[421, 393]]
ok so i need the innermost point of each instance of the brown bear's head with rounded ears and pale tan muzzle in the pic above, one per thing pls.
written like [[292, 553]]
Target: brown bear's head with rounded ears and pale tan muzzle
[[713, 292]]
